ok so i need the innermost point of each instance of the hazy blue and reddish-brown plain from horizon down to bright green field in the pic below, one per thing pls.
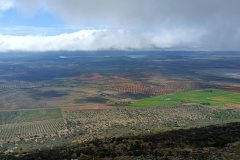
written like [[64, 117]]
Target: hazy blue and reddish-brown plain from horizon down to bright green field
[[109, 78]]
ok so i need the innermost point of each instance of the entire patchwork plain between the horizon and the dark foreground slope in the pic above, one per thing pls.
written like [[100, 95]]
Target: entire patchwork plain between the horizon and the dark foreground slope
[[59, 99]]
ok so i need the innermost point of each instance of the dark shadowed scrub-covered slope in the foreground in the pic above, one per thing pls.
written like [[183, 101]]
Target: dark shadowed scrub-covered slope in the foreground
[[212, 142]]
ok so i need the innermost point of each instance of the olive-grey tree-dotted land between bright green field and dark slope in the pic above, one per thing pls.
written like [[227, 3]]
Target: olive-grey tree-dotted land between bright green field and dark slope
[[146, 120]]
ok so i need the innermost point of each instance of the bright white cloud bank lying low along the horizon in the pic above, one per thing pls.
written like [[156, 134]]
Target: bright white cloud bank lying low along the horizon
[[99, 40]]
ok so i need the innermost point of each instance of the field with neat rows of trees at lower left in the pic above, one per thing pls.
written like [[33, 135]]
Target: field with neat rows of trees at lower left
[[26, 124]]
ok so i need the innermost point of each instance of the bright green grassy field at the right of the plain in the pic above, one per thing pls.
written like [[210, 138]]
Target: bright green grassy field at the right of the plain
[[209, 97]]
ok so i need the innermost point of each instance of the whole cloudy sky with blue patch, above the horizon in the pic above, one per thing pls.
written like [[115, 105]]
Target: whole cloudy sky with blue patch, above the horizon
[[72, 25]]
